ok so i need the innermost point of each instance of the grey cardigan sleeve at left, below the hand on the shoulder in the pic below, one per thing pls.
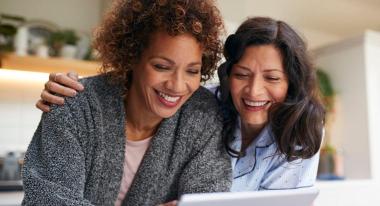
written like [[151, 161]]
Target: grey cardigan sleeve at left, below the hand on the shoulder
[[54, 170]]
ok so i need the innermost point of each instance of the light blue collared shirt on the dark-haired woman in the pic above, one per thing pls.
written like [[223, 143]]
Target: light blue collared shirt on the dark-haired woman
[[264, 169]]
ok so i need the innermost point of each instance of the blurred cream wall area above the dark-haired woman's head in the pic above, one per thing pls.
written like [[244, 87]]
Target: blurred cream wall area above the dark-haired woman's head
[[321, 22]]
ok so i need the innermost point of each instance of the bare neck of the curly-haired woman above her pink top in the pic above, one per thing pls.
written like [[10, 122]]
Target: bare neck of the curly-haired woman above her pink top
[[140, 124]]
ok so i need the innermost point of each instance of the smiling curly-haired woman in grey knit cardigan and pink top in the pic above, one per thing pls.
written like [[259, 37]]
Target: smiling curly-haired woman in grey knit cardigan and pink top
[[143, 132]]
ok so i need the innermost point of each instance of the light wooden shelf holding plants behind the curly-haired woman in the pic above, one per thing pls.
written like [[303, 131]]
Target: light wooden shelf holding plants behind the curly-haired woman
[[48, 65]]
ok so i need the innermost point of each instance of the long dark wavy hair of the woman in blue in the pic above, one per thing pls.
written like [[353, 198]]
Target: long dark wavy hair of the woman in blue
[[297, 123]]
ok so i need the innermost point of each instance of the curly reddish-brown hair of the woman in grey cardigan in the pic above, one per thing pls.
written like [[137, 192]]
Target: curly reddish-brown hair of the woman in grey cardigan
[[129, 24]]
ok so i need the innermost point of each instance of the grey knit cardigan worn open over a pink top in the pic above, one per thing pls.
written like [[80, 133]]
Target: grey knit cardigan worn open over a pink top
[[77, 152]]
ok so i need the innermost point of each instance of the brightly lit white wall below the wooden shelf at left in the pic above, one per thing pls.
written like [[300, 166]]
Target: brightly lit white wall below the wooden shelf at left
[[19, 118]]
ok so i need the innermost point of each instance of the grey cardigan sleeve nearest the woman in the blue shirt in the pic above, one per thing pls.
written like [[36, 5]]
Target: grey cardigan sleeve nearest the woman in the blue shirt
[[209, 168]]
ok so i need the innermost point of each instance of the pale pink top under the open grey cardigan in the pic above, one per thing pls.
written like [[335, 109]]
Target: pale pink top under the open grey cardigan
[[134, 152]]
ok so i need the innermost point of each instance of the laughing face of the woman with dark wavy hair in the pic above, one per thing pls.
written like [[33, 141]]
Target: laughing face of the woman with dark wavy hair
[[257, 81]]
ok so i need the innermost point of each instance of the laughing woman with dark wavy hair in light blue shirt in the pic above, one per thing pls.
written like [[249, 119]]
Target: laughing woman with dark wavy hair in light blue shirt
[[273, 116]]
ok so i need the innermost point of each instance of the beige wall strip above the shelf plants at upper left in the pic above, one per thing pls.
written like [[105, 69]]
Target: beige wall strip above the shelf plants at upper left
[[81, 15]]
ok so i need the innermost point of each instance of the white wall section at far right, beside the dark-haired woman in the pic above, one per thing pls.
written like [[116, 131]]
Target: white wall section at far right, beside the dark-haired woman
[[354, 69]]
